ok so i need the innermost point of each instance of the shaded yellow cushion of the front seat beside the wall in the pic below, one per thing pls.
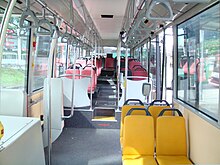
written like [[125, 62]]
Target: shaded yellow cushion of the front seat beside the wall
[[171, 160]]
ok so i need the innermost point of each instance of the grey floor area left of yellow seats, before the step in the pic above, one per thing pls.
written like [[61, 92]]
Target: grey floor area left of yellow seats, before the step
[[85, 146]]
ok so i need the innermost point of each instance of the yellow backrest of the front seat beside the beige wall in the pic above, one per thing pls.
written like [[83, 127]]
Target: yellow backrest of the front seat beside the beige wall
[[171, 136]]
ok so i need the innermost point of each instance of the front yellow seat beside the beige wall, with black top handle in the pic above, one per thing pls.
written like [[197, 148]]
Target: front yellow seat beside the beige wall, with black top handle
[[171, 145]]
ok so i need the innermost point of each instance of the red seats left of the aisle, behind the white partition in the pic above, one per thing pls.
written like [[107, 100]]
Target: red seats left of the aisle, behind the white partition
[[86, 68]]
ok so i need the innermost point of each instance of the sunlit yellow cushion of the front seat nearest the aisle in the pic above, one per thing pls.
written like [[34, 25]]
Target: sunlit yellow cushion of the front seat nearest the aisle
[[138, 160]]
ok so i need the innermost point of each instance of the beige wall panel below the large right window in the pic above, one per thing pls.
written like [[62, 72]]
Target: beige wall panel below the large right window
[[203, 138]]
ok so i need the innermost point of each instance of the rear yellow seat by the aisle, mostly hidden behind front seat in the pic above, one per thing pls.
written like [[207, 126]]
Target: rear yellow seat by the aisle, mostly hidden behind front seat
[[125, 108]]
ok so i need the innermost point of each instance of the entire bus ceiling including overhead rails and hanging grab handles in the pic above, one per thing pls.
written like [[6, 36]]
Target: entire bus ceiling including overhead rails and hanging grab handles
[[138, 20]]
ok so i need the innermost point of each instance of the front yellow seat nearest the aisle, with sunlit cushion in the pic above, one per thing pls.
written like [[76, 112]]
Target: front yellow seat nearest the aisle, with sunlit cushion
[[138, 140]]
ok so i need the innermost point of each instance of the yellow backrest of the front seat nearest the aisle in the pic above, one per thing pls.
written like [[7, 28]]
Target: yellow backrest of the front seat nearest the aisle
[[138, 135]]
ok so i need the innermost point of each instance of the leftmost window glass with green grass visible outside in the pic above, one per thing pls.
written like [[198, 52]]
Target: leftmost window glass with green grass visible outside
[[15, 55]]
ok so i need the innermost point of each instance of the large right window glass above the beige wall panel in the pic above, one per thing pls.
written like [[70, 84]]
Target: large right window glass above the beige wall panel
[[198, 61]]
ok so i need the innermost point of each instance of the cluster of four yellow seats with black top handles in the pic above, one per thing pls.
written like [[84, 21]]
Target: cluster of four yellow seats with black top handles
[[143, 129]]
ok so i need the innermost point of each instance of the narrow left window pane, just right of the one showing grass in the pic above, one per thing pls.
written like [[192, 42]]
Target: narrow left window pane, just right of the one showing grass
[[41, 60]]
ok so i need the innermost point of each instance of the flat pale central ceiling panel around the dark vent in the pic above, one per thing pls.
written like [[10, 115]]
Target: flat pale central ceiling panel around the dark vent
[[108, 28]]
